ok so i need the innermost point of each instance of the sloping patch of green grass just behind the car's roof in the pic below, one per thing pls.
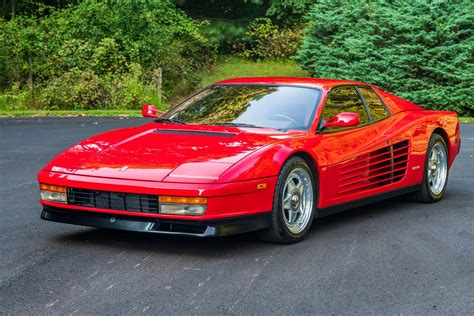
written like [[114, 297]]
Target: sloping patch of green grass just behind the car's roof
[[233, 67]]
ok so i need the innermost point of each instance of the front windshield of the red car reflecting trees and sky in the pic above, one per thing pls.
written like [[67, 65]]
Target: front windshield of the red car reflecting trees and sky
[[279, 107]]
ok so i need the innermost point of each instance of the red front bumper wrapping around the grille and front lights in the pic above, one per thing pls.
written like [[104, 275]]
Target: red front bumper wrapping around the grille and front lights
[[225, 200]]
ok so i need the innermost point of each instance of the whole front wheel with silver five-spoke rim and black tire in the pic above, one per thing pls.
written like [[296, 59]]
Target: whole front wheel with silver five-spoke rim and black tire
[[293, 204]]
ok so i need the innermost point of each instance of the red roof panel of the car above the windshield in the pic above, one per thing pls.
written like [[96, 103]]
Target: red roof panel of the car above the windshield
[[297, 81]]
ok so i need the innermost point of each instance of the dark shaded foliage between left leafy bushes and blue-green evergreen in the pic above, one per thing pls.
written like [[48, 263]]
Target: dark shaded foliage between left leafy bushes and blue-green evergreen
[[247, 26]]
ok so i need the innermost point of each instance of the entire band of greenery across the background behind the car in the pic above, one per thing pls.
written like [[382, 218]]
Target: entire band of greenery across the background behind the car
[[78, 55]]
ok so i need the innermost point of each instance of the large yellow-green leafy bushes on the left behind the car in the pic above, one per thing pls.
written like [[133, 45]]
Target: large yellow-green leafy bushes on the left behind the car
[[100, 55]]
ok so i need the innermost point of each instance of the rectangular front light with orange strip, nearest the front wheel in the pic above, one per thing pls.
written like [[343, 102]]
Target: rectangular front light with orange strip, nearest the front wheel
[[182, 205]]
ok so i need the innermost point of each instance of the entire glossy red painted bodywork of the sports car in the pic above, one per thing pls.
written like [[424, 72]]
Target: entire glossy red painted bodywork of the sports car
[[230, 171]]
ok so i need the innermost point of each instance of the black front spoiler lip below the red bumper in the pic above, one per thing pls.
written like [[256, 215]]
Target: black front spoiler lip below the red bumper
[[208, 228]]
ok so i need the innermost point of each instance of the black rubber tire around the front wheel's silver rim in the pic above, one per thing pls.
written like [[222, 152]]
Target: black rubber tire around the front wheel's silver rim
[[278, 232]]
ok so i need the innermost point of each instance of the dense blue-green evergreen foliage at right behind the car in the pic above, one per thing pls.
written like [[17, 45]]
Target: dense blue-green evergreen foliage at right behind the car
[[420, 50]]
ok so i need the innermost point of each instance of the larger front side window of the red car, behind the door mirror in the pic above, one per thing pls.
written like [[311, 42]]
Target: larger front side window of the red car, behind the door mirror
[[345, 99]]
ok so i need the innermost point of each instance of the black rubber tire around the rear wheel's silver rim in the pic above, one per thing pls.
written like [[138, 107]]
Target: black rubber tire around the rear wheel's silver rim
[[425, 194]]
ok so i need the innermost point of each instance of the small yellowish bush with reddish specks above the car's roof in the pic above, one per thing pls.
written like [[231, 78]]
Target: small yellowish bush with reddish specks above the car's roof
[[267, 40]]
